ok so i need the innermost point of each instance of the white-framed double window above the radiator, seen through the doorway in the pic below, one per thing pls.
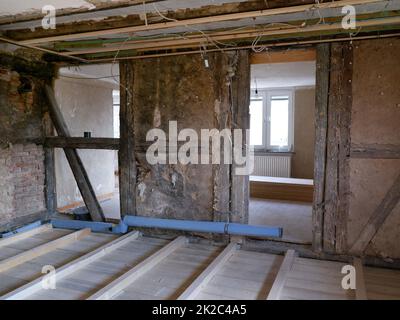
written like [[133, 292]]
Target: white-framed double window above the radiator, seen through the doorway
[[271, 120]]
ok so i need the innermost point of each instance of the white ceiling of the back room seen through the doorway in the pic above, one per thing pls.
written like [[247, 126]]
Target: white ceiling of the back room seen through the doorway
[[283, 75]]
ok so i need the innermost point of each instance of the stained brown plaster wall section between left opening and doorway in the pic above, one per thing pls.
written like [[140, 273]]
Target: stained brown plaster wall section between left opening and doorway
[[181, 89]]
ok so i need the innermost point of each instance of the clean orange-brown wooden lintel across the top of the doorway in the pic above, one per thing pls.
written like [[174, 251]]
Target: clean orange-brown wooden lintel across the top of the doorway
[[286, 56]]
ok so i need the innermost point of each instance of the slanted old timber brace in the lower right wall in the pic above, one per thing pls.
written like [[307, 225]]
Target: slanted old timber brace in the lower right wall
[[377, 218]]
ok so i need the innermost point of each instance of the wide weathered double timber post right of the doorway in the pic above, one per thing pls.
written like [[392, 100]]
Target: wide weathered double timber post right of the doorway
[[332, 146]]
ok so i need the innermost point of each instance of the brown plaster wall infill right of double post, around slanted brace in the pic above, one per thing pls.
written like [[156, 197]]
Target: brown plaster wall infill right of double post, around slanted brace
[[375, 121]]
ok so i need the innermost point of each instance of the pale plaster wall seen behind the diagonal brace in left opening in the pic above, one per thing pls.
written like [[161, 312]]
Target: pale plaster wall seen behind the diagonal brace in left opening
[[86, 106]]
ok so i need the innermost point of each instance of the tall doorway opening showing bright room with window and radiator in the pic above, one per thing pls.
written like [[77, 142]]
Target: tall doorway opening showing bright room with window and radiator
[[282, 131]]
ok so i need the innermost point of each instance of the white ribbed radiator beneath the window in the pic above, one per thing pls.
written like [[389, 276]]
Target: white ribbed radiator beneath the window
[[272, 166]]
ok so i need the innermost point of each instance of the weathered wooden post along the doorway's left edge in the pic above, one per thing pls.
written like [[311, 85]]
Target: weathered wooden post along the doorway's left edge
[[240, 120]]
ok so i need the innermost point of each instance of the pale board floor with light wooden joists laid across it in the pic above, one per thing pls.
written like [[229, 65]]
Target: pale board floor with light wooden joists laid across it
[[184, 271]]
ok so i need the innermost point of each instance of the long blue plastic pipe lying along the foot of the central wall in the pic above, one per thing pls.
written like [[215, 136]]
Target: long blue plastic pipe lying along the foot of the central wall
[[201, 226]]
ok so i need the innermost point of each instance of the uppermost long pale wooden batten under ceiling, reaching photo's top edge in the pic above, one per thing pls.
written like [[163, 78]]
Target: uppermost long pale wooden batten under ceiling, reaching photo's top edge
[[196, 21]]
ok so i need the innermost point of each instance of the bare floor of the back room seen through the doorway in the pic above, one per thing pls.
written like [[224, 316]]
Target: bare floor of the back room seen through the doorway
[[293, 217]]
